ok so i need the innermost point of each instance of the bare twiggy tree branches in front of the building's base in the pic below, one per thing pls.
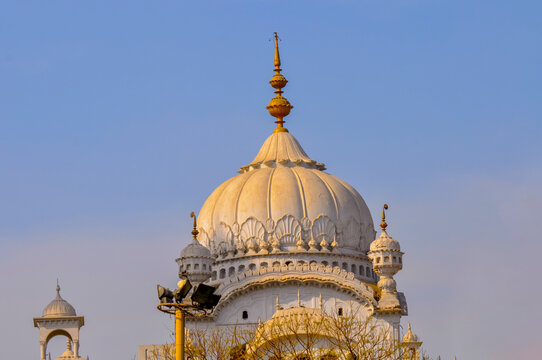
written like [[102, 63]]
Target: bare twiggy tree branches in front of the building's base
[[304, 334]]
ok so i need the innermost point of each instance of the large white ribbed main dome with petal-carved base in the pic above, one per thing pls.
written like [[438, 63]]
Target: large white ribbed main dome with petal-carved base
[[285, 196]]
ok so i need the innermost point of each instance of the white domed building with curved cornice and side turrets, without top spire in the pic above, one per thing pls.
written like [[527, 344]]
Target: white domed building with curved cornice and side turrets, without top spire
[[285, 228]]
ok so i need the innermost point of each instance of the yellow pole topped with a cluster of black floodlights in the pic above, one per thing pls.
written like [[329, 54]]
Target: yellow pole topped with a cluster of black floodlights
[[203, 299]]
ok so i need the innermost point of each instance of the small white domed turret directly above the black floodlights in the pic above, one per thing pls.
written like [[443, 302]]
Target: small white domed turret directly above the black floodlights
[[195, 263]]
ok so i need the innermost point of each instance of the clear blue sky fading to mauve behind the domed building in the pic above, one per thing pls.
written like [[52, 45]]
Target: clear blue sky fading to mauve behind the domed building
[[119, 118]]
